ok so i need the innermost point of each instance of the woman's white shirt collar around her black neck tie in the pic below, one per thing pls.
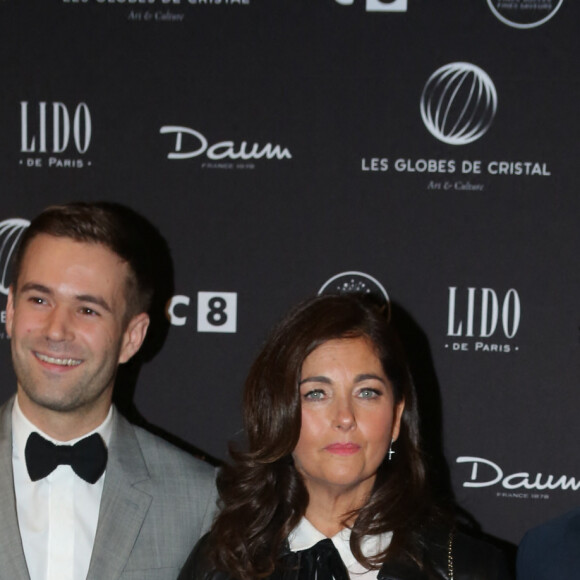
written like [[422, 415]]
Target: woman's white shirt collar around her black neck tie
[[305, 535]]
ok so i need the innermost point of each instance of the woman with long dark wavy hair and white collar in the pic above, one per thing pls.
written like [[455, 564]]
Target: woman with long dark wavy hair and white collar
[[333, 484]]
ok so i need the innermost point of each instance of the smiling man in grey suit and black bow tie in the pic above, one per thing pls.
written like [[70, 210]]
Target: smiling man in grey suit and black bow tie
[[83, 493]]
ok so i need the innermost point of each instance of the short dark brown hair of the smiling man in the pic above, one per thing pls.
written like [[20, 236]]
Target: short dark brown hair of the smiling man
[[114, 226]]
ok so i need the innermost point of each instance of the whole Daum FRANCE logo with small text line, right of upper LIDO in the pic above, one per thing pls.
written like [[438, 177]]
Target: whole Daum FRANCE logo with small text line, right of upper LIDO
[[189, 143]]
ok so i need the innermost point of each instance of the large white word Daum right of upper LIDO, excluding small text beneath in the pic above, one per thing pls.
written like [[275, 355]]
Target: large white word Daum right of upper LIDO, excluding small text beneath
[[191, 143]]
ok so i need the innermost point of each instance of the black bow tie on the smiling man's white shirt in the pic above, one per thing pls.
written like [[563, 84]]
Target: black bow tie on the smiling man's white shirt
[[87, 457]]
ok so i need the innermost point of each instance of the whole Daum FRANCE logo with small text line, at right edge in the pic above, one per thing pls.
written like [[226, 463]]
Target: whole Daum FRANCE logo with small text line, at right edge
[[484, 473]]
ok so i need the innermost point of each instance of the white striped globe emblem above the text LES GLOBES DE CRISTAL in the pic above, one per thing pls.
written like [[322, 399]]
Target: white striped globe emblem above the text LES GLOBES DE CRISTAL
[[458, 103]]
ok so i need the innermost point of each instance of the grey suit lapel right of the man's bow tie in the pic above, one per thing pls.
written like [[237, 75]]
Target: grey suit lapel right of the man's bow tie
[[123, 506]]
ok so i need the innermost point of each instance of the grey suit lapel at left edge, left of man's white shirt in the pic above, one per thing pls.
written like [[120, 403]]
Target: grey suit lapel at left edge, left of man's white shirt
[[11, 551]]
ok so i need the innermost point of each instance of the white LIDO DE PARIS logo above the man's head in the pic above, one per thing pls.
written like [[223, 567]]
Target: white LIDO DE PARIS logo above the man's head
[[54, 135]]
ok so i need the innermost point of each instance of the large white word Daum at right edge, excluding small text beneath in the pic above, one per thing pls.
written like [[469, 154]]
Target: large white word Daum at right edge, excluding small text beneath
[[486, 473]]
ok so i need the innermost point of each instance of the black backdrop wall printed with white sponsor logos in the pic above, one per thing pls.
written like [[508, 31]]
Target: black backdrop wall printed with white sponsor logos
[[426, 151]]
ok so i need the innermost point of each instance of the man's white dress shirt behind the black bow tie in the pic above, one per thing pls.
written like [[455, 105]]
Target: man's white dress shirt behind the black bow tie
[[57, 515]]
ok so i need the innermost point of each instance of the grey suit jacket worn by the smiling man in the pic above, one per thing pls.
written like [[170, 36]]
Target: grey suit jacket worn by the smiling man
[[157, 501]]
